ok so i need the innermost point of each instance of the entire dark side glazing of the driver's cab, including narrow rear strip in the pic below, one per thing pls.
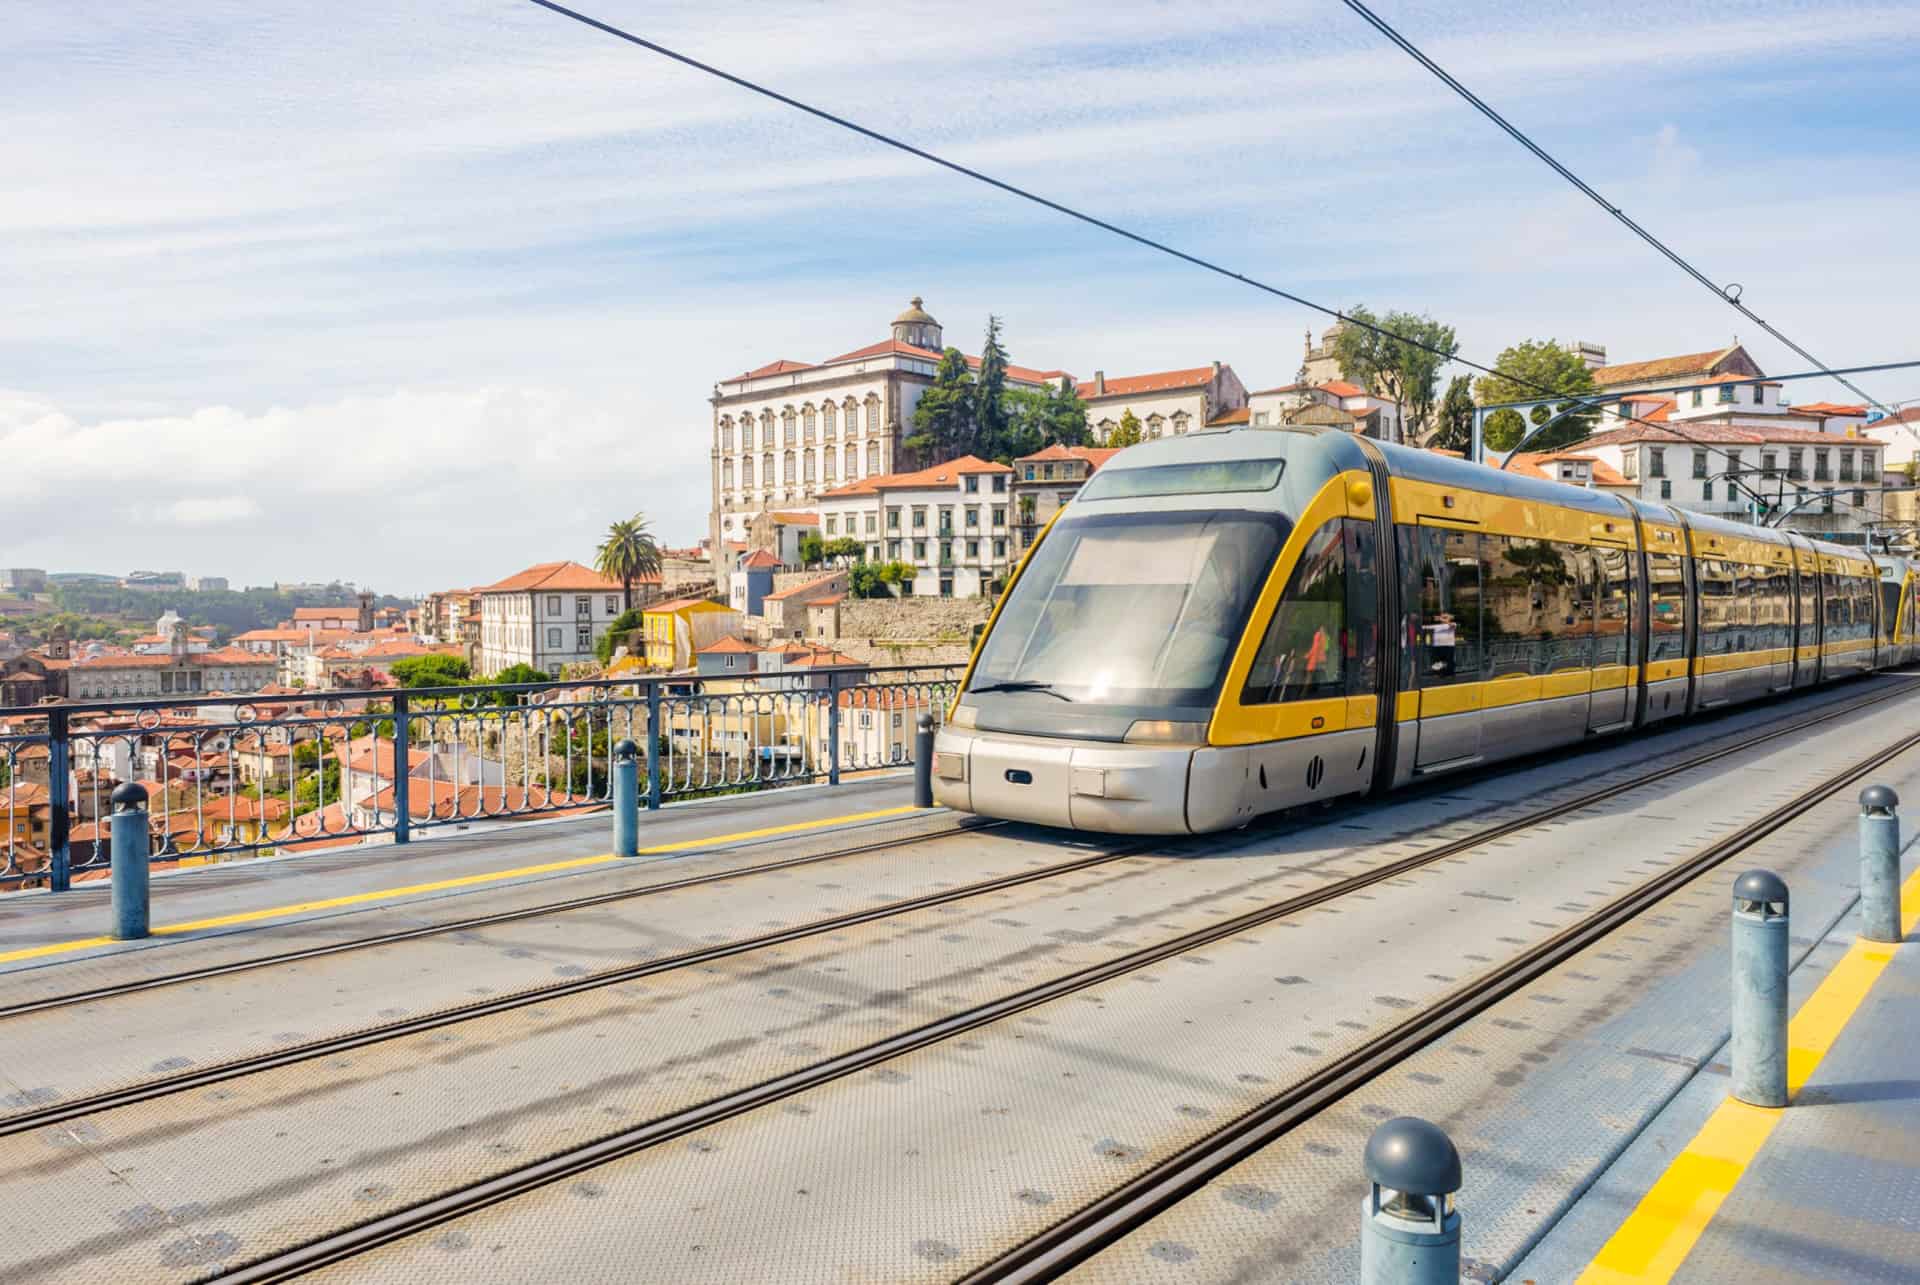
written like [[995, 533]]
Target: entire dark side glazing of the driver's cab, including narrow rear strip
[[1324, 639]]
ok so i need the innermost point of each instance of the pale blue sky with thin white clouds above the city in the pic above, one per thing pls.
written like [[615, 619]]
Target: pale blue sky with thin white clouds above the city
[[421, 293]]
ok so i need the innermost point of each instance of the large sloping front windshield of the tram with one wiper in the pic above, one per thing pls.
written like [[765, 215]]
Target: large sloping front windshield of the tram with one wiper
[[1132, 610]]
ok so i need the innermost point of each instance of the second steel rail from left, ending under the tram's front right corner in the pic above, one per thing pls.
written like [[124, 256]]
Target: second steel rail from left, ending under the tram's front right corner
[[197, 1079]]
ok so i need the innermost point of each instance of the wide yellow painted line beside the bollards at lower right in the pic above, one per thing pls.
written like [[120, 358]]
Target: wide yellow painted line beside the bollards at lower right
[[1669, 1221]]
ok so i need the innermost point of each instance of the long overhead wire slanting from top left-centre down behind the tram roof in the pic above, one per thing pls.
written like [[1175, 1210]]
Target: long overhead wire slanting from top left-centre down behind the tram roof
[[1070, 212]]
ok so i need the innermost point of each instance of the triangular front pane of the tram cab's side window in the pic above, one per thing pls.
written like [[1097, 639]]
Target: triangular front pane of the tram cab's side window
[[1307, 648]]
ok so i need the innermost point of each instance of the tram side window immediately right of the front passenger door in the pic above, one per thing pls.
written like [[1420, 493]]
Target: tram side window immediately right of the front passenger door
[[1531, 608]]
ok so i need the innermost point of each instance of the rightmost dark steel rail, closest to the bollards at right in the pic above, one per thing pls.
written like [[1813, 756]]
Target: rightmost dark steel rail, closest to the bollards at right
[[1128, 1207]]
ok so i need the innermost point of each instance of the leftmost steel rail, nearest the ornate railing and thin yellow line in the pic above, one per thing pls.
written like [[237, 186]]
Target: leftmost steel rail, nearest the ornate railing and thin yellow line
[[479, 921]]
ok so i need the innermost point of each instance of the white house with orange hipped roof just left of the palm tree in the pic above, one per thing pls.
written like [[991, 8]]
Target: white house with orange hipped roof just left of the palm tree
[[548, 616]]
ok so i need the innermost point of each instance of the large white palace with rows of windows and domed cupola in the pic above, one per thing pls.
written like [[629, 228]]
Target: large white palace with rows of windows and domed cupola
[[788, 431]]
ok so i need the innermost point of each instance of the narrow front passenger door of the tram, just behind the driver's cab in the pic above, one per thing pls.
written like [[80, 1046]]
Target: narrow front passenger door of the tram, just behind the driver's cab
[[1449, 646]]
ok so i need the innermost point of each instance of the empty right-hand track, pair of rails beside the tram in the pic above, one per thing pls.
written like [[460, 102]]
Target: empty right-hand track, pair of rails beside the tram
[[1126, 1207]]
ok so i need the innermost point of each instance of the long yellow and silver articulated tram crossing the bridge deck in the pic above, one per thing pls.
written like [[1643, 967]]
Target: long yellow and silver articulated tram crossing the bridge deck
[[1234, 623]]
